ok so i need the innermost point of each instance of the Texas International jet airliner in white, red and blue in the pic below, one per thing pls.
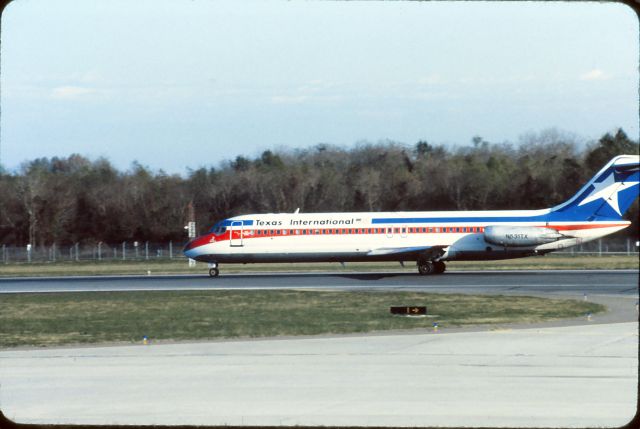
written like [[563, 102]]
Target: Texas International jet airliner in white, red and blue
[[429, 238]]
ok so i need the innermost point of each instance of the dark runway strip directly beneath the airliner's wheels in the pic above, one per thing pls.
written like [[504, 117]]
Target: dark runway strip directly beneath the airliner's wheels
[[614, 282]]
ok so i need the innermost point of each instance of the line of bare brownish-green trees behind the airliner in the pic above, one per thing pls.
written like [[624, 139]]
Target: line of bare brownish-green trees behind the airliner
[[78, 200]]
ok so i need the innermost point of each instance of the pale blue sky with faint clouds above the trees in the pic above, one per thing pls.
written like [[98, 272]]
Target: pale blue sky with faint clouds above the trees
[[182, 84]]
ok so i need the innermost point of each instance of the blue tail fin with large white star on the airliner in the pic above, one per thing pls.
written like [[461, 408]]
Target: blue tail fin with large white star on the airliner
[[607, 195]]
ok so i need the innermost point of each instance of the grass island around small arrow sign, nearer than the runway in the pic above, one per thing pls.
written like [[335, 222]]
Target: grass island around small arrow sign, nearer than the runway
[[106, 317]]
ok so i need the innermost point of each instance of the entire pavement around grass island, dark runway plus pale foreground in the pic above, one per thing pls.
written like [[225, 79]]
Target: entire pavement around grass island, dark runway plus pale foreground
[[584, 373]]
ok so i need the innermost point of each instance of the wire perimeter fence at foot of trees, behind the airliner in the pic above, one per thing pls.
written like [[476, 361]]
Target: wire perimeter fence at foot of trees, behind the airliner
[[145, 251]]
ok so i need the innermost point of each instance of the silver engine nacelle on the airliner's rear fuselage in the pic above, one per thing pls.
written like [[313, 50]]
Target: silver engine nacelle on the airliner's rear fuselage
[[520, 236]]
